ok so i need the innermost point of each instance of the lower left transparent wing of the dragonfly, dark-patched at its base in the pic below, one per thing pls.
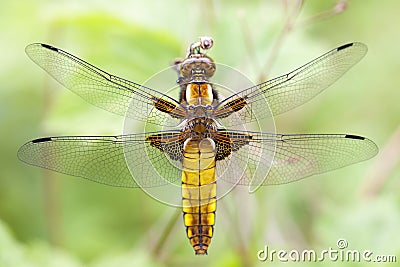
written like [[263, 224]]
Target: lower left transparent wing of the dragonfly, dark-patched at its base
[[104, 159]]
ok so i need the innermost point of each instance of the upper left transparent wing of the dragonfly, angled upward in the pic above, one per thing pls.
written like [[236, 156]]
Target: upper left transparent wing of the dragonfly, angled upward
[[104, 90]]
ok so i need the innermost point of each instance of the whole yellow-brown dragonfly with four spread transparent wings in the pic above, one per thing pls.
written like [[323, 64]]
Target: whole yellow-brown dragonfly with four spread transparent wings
[[205, 146]]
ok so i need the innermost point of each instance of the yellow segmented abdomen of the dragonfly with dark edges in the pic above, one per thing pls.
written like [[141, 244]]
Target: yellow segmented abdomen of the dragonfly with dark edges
[[199, 192]]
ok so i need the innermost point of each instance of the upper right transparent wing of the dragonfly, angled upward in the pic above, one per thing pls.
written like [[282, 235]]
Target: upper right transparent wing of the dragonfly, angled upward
[[290, 90]]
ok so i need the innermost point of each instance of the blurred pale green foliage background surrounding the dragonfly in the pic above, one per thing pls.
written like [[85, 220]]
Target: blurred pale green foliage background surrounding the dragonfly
[[49, 219]]
